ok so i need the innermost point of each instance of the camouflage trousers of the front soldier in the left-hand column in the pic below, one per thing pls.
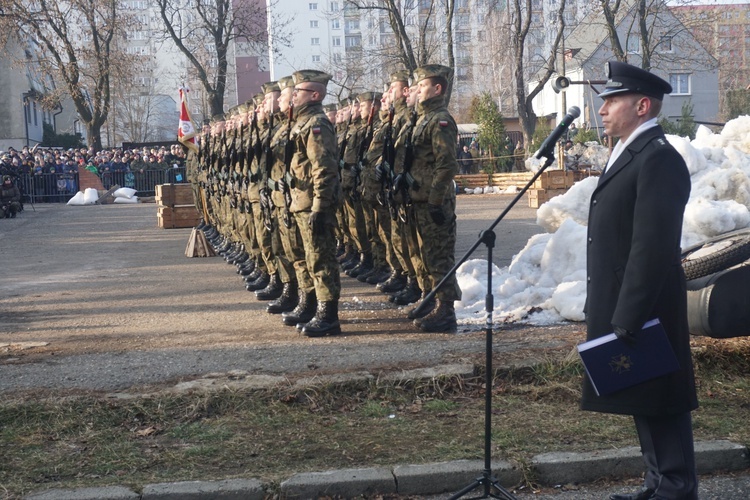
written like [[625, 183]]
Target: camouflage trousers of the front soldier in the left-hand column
[[320, 255]]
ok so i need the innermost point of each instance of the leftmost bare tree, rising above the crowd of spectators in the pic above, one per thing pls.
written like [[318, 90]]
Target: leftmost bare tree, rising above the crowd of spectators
[[77, 44]]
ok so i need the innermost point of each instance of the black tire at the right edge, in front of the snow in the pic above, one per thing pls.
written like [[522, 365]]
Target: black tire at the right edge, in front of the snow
[[716, 254]]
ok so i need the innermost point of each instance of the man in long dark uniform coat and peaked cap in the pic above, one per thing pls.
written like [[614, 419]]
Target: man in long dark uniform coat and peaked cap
[[635, 275]]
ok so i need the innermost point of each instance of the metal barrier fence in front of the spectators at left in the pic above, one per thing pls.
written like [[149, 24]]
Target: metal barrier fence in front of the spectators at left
[[59, 188]]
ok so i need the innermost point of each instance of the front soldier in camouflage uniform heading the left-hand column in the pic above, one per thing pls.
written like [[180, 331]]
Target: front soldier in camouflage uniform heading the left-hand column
[[316, 193]]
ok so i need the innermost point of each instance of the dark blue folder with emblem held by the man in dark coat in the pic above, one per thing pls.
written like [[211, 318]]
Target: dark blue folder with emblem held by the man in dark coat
[[612, 365]]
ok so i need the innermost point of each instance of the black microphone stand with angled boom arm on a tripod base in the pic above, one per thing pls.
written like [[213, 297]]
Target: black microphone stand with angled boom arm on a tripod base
[[492, 489]]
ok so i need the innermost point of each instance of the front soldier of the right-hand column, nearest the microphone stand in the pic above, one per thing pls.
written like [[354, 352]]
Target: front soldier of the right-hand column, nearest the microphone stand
[[434, 169]]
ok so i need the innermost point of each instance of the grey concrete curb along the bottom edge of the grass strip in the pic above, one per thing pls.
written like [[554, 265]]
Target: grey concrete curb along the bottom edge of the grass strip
[[548, 469]]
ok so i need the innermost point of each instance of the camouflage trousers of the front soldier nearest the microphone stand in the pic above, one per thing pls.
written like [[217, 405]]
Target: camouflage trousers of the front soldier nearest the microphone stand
[[437, 247]]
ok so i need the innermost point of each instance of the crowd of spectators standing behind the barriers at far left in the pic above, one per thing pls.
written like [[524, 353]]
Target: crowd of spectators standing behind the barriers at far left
[[51, 173]]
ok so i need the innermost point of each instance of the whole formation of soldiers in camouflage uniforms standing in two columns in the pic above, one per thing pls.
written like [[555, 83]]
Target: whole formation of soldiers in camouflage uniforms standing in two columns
[[293, 193]]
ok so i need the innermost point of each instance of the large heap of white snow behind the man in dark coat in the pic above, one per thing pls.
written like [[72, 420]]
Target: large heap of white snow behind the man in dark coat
[[545, 282]]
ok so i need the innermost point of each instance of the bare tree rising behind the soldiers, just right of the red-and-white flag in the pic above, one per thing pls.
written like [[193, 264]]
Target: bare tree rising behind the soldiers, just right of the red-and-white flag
[[205, 31]]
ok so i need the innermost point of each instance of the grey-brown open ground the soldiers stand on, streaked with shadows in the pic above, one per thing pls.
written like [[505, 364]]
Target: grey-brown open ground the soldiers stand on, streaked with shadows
[[99, 298]]
